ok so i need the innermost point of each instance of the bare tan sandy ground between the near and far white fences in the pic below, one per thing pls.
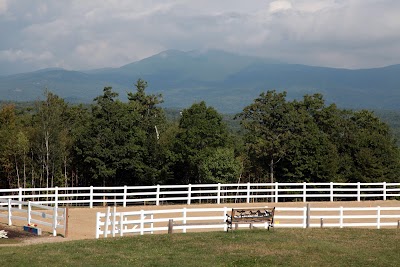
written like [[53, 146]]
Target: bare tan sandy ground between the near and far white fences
[[82, 221]]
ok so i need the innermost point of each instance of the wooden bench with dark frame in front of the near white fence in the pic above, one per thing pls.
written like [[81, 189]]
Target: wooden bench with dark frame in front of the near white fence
[[250, 216]]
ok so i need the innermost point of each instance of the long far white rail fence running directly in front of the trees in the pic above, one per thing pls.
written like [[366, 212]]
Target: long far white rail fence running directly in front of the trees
[[210, 193]]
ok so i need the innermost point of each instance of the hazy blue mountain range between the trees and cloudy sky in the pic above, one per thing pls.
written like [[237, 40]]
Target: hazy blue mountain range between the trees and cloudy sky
[[224, 80]]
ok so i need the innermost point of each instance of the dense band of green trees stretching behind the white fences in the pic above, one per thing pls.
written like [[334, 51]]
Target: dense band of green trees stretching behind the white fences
[[137, 142]]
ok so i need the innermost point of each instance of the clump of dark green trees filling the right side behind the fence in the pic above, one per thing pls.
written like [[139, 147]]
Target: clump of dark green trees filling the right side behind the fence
[[309, 141]]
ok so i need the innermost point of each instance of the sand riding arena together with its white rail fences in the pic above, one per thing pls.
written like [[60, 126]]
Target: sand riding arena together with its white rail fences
[[148, 209]]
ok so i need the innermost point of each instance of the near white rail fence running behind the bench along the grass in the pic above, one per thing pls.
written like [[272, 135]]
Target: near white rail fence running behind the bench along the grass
[[151, 221]]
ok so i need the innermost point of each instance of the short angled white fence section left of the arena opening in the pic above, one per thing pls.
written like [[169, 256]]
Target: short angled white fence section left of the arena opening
[[32, 213]]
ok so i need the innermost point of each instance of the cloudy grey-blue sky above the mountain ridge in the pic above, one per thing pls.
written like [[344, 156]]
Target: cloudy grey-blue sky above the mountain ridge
[[90, 34]]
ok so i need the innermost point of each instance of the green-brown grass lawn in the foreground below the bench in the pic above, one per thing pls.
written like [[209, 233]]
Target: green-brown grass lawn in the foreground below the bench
[[279, 247]]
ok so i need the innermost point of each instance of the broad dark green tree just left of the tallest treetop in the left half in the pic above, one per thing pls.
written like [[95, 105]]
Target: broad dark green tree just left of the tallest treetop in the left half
[[111, 146]]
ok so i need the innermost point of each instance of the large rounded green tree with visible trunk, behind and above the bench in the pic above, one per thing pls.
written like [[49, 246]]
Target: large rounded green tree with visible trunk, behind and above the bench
[[269, 123]]
